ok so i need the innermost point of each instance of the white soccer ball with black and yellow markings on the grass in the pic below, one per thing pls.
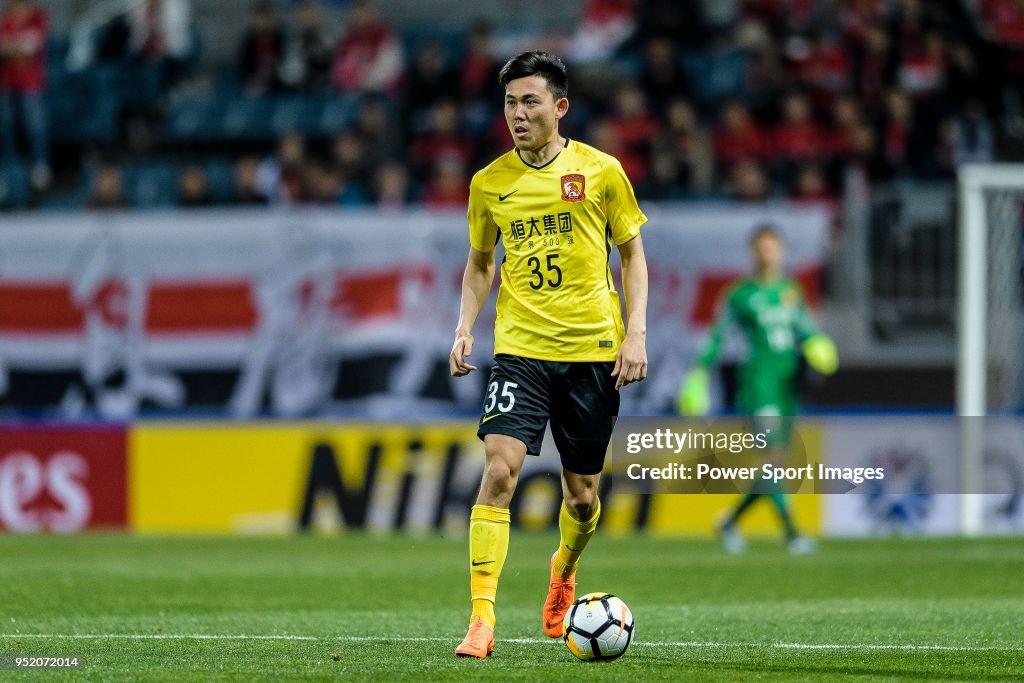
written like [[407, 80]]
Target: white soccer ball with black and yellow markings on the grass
[[599, 627]]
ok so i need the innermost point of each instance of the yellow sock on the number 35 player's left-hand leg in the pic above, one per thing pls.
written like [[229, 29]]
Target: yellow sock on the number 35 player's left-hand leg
[[489, 544]]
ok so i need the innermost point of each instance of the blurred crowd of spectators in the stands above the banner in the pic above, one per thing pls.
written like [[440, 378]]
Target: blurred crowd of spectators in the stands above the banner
[[749, 100]]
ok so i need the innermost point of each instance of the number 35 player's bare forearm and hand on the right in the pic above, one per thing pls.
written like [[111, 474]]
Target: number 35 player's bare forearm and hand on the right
[[631, 362]]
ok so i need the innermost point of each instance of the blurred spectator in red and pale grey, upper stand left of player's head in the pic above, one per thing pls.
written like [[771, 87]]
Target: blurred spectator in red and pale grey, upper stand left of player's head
[[369, 57]]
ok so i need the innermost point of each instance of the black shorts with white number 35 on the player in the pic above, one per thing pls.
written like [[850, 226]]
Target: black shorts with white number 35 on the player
[[579, 399]]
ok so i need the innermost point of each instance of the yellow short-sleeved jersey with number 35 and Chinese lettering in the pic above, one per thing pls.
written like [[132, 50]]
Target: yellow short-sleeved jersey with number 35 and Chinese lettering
[[558, 301]]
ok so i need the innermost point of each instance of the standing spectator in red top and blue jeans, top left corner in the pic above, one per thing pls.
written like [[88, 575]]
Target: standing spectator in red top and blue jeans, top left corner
[[23, 84]]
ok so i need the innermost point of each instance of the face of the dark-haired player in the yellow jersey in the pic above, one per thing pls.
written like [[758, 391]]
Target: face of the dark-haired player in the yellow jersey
[[532, 112]]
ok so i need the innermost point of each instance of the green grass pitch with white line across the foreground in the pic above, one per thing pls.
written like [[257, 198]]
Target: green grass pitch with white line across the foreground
[[394, 609]]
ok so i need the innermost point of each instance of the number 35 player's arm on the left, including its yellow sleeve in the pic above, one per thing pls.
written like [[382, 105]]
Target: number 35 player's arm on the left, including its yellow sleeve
[[478, 278]]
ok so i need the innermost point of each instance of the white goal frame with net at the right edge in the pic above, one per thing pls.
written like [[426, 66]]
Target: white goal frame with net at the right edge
[[991, 198]]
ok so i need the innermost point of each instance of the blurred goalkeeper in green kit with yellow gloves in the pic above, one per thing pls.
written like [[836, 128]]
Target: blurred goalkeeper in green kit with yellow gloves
[[771, 312]]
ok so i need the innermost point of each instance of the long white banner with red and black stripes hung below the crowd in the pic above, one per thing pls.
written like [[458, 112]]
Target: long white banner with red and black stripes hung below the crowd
[[298, 314]]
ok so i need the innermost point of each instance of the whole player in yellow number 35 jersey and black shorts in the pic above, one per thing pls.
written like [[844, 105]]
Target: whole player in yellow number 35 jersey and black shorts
[[562, 352]]
